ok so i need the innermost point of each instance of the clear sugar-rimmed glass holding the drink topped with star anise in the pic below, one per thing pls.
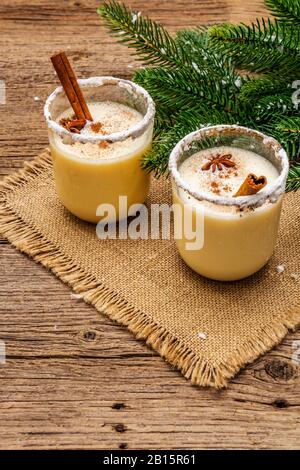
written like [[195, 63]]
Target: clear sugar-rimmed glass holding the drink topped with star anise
[[238, 241]]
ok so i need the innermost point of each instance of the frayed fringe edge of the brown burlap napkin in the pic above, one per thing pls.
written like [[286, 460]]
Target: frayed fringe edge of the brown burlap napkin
[[195, 368]]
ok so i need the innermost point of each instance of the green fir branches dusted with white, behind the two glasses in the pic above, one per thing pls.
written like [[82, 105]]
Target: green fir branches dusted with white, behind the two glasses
[[195, 77]]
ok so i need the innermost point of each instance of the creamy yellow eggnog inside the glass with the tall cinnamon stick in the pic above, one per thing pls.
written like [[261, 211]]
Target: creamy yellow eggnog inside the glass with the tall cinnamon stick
[[87, 175]]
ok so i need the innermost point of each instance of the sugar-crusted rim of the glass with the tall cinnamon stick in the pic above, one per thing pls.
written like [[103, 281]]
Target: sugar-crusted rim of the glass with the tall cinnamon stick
[[134, 131]]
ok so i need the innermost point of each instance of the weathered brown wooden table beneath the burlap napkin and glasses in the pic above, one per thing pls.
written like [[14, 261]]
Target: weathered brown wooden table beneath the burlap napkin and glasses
[[72, 378]]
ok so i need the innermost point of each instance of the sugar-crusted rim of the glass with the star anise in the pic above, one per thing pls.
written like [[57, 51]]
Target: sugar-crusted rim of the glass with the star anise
[[271, 192]]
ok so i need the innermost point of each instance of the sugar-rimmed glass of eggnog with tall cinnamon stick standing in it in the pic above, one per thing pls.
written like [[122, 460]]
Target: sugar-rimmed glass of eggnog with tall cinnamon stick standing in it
[[96, 164]]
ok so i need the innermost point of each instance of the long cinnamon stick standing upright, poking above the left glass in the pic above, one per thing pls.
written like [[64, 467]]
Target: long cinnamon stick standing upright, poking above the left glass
[[70, 85]]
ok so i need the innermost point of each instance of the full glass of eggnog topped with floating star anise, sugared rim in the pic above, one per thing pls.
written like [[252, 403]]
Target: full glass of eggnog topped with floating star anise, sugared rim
[[232, 179]]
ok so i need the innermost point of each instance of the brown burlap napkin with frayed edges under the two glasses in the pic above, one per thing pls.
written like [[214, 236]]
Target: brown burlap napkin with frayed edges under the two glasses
[[207, 329]]
